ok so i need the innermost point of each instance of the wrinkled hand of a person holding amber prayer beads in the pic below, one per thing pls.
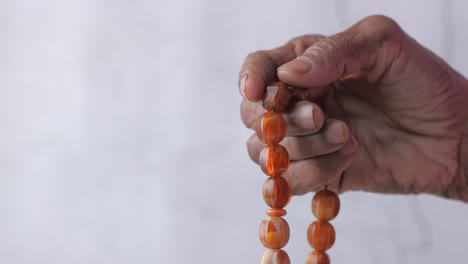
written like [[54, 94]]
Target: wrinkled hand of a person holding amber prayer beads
[[382, 113]]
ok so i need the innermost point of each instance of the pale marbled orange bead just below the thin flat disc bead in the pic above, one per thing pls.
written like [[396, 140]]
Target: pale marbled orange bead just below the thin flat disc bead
[[274, 232]]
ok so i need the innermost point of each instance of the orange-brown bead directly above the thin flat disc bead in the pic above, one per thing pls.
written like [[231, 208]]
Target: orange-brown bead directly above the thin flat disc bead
[[276, 192]]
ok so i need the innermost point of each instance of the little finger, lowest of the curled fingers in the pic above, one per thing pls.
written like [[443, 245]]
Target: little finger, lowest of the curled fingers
[[314, 174]]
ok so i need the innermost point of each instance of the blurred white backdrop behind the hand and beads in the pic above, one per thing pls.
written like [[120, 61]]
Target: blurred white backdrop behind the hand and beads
[[121, 141]]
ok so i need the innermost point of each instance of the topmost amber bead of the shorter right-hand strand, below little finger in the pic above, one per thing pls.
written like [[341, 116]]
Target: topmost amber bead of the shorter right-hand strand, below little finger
[[325, 205]]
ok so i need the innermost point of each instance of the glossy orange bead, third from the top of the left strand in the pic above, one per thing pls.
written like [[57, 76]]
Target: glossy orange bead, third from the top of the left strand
[[274, 160]]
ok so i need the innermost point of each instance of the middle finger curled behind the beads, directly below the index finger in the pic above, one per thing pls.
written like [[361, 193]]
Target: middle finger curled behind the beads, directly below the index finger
[[305, 118]]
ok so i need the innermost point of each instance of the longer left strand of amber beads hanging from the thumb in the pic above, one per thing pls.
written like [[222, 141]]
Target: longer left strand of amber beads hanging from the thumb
[[274, 161]]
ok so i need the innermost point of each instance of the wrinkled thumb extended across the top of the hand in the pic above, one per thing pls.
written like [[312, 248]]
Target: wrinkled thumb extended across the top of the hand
[[366, 49]]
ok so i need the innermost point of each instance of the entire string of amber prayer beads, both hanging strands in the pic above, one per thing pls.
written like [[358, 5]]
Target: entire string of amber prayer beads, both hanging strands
[[274, 162]]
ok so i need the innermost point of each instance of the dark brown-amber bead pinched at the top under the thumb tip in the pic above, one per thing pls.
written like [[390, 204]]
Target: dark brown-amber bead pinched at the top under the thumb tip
[[276, 97]]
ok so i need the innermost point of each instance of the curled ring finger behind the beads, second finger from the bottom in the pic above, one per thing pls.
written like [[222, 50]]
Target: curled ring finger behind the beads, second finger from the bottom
[[331, 138]]
